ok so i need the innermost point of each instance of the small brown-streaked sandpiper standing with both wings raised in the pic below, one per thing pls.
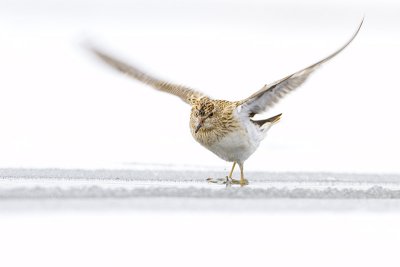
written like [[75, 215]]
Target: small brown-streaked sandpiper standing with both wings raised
[[226, 128]]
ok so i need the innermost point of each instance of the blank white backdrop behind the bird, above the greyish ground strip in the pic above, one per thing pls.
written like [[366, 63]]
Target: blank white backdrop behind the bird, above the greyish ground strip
[[60, 107]]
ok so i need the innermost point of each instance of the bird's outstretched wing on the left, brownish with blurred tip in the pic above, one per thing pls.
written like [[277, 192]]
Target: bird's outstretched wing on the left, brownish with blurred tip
[[185, 93]]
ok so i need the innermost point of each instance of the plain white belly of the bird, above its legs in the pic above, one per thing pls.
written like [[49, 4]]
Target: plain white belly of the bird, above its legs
[[236, 146]]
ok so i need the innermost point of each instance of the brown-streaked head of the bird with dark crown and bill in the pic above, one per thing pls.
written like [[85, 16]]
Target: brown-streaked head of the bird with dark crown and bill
[[203, 114]]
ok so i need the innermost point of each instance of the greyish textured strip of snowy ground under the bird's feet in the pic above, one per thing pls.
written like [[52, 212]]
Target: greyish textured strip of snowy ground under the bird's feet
[[27, 189]]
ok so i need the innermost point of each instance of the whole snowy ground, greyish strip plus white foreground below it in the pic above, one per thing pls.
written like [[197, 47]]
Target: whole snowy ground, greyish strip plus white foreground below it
[[60, 217]]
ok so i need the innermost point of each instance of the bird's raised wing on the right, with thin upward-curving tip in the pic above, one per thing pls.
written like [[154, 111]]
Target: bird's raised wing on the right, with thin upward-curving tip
[[270, 94]]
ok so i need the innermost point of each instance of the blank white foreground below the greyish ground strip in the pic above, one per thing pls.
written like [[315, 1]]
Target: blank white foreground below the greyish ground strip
[[197, 240]]
